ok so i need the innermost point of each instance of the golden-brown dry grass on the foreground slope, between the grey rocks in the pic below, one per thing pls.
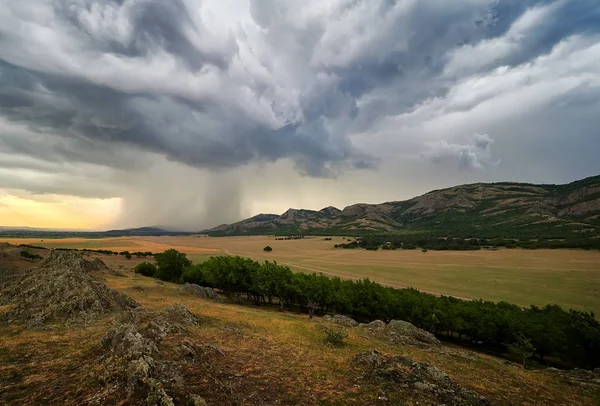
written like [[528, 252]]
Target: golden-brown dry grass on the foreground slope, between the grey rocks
[[279, 355]]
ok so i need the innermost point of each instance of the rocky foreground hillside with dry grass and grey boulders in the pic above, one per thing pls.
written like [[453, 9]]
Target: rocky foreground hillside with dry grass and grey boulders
[[170, 347]]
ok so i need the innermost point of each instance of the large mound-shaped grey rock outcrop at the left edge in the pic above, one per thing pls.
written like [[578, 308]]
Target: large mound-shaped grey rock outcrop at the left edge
[[61, 288]]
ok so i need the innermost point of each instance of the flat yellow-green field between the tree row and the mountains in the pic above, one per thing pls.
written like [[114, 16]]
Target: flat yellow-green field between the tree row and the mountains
[[570, 278]]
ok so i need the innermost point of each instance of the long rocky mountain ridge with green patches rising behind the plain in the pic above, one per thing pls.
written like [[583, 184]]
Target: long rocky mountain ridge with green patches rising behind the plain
[[480, 209]]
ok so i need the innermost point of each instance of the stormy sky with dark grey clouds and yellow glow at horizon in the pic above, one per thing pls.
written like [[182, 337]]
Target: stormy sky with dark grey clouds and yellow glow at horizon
[[194, 113]]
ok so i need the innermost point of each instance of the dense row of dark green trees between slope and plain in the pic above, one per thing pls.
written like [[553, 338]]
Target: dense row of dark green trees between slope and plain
[[573, 337]]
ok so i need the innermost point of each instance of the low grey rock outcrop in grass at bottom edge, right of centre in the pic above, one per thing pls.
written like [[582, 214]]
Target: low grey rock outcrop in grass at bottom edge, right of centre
[[424, 382]]
